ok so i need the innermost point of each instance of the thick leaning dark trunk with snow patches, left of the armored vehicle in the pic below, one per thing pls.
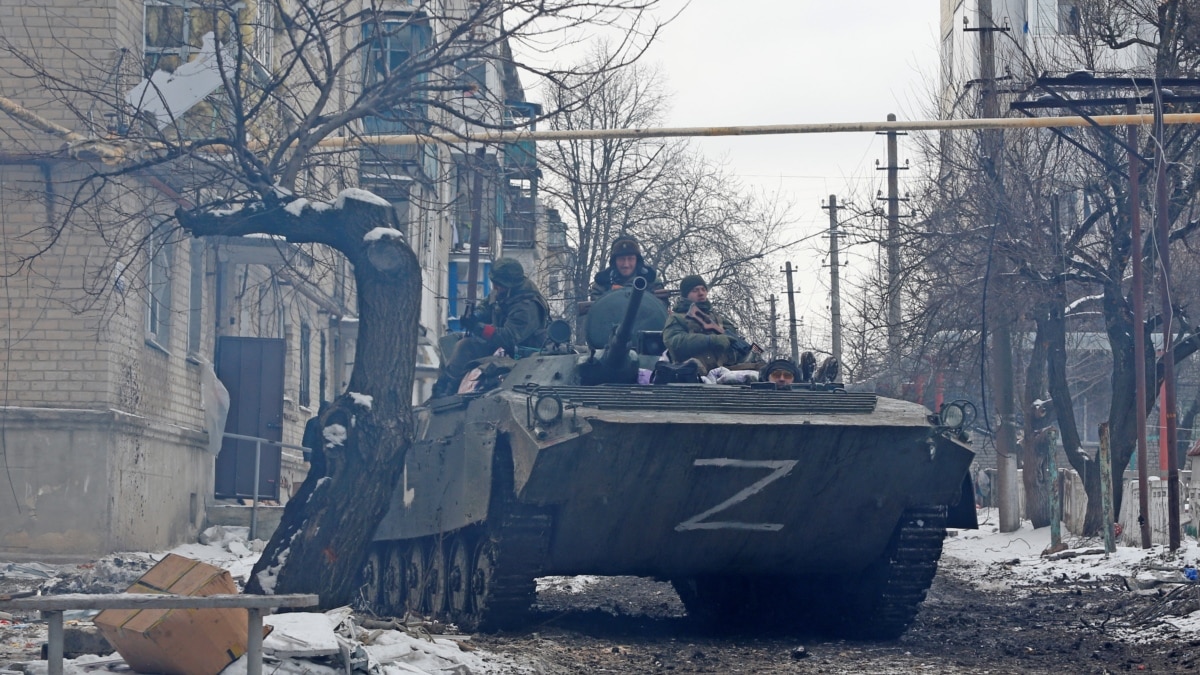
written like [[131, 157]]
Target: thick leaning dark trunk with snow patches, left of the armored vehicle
[[326, 531]]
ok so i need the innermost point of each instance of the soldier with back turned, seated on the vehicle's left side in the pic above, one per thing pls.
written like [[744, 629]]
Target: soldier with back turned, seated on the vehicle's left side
[[514, 315]]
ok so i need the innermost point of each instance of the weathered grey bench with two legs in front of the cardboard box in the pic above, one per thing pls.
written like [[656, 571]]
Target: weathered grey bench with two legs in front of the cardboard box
[[52, 608]]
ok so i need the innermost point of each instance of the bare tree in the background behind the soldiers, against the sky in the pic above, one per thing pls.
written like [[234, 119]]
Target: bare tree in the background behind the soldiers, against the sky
[[689, 213]]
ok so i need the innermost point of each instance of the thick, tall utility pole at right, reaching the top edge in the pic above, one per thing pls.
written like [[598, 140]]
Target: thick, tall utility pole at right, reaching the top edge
[[999, 318]]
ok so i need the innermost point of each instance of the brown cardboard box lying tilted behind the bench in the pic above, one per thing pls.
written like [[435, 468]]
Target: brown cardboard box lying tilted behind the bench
[[178, 642]]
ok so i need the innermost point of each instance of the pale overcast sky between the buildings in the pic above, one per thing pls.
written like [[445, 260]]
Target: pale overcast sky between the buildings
[[788, 62]]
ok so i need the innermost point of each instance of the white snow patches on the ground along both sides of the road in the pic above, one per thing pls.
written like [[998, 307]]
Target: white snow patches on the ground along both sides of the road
[[303, 643]]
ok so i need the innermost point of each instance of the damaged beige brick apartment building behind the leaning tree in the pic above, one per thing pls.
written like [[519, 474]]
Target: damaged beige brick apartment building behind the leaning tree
[[115, 320]]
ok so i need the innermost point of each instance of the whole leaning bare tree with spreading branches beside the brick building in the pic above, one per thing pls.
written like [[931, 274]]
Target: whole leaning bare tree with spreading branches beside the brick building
[[271, 152]]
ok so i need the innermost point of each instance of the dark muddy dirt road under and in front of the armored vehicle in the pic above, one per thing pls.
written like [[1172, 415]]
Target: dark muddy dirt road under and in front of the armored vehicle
[[1081, 626]]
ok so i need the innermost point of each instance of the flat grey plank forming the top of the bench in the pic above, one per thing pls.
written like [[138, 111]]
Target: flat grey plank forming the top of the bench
[[157, 601]]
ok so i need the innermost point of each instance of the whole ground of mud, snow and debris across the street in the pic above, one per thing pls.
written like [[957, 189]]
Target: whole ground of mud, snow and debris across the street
[[997, 606]]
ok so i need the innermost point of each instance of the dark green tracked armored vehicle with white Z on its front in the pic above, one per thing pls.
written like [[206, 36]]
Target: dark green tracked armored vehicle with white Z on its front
[[802, 506]]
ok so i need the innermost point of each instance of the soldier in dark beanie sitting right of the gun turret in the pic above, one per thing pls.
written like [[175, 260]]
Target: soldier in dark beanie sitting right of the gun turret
[[694, 331]]
